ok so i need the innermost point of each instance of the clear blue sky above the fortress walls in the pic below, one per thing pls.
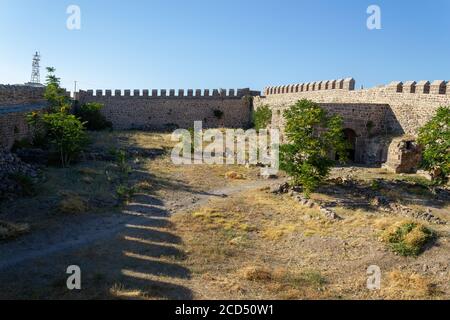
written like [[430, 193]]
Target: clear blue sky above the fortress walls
[[144, 44]]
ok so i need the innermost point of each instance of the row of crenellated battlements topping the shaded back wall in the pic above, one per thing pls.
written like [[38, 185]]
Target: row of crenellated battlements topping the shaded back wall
[[171, 93]]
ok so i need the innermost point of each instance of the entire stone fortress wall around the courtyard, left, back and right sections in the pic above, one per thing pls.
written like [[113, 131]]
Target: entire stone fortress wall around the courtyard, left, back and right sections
[[371, 116]]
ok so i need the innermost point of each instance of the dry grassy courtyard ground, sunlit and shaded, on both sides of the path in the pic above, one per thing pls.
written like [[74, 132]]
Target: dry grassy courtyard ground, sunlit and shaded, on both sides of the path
[[251, 244]]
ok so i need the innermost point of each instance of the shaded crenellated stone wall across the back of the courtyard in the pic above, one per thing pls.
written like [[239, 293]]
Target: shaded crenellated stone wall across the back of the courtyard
[[162, 109]]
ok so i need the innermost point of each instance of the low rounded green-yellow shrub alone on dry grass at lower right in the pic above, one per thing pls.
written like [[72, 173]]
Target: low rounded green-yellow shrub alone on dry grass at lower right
[[408, 238]]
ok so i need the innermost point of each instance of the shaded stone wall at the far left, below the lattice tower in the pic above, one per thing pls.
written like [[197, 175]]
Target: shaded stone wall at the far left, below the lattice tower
[[15, 102]]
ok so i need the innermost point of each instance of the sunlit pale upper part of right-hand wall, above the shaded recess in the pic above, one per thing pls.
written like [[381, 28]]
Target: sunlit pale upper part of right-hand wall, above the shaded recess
[[411, 104]]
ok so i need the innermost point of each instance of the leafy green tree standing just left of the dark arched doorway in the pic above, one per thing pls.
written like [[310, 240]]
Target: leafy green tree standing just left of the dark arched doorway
[[311, 134]]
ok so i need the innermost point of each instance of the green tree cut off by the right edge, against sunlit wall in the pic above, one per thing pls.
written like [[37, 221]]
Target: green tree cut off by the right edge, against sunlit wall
[[435, 140]]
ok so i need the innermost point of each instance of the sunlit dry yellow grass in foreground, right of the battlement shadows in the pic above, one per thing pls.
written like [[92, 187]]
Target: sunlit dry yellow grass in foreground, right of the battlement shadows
[[261, 246]]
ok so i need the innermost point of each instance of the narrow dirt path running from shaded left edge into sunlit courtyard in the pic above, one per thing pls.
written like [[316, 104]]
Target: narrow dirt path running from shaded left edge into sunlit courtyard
[[78, 232]]
